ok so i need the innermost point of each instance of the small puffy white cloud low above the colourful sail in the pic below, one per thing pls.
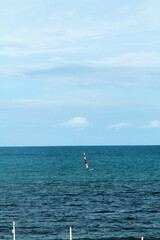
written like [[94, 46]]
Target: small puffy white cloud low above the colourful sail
[[76, 123]]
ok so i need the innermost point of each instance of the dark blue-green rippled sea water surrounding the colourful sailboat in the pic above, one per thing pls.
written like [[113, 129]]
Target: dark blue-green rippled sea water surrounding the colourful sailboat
[[47, 190]]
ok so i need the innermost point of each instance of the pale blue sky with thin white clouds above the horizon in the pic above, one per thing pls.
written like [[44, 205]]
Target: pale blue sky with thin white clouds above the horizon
[[79, 72]]
